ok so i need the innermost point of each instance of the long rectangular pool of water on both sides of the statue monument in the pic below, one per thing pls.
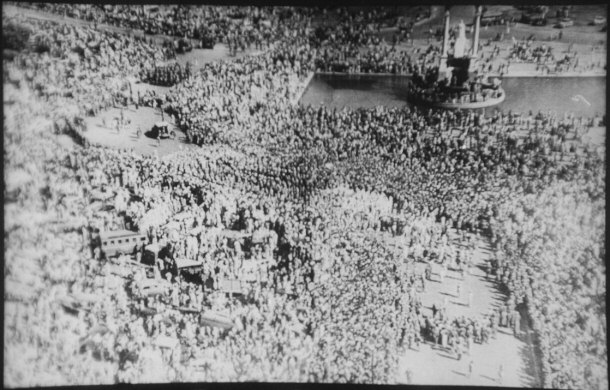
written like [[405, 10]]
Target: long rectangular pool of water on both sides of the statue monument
[[522, 93]]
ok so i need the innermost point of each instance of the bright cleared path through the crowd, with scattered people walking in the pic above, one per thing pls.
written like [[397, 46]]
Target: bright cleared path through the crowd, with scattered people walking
[[429, 364]]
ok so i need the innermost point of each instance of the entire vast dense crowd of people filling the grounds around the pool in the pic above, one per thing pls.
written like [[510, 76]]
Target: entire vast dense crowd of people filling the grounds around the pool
[[315, 211]]
